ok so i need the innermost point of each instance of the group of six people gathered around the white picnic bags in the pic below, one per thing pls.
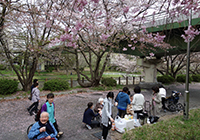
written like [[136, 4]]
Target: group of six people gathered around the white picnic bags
[[126, 103]]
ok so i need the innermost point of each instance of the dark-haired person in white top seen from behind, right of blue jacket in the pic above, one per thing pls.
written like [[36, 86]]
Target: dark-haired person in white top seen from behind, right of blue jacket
[[138, 101]]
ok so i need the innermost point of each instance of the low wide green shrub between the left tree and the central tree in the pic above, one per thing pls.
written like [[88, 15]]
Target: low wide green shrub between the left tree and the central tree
[[56, 85]]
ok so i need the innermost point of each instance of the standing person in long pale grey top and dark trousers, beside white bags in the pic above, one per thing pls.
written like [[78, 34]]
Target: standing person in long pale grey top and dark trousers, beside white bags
[[107, 115]]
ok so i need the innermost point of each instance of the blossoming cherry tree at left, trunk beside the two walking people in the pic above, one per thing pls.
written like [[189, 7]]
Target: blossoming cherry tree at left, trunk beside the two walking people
[[24, 34]]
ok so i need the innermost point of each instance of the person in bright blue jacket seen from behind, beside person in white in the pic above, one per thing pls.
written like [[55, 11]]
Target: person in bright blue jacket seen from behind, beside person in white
[[122, 101]]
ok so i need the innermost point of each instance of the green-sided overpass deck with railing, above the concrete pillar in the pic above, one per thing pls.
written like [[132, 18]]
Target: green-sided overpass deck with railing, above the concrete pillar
[[173, 29]]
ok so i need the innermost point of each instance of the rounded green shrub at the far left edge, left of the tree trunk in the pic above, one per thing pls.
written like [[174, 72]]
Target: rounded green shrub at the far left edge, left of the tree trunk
[[8, 86]]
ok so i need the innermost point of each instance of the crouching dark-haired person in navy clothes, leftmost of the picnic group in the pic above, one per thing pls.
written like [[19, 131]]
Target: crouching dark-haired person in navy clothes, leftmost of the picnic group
[[88, 115]]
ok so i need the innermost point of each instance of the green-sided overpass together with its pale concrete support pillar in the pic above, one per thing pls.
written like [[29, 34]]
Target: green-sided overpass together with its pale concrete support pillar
[[173, 29]]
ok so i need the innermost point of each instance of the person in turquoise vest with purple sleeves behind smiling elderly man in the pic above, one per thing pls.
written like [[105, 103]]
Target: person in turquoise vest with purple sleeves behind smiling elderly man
[[49, 107]]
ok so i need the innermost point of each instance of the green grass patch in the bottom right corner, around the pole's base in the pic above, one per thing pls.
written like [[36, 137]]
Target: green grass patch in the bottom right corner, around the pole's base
[[171, 129]]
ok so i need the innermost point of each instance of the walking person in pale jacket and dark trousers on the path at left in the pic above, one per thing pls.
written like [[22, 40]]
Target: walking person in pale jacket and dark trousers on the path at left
[[35, 99]]
